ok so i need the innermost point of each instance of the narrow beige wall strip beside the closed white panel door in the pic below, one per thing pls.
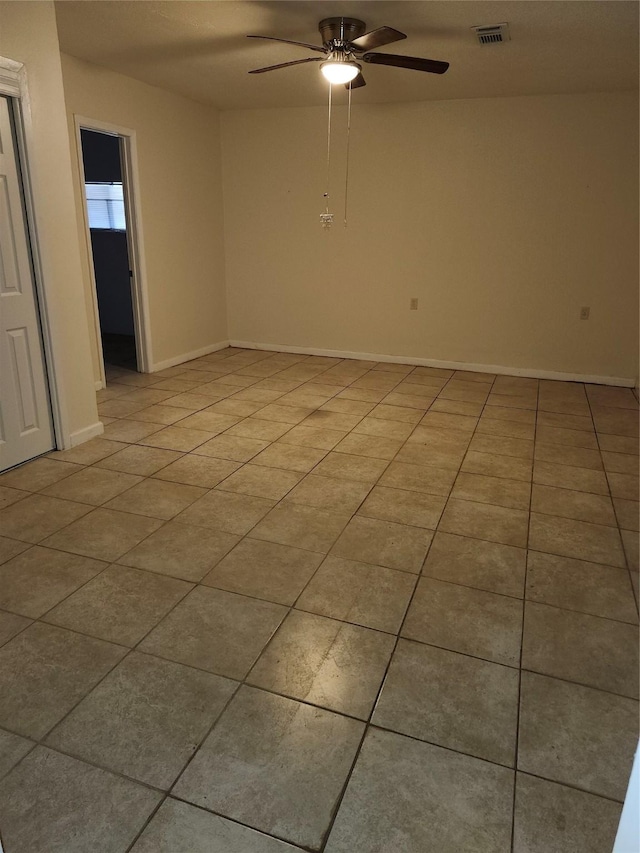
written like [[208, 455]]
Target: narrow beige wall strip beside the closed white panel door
[[28, 34]]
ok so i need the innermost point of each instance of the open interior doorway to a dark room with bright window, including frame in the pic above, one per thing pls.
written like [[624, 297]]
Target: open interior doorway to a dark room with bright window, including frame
[[109, 174]]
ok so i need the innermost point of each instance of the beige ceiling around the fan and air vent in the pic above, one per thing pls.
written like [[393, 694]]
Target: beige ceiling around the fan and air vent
[[199, 50]]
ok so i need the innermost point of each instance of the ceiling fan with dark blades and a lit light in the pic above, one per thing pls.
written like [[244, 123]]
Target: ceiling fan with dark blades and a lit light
[[346, 44]]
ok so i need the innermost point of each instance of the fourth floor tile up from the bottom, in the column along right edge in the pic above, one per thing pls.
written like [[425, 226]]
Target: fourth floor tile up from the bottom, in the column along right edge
[[577, 585]]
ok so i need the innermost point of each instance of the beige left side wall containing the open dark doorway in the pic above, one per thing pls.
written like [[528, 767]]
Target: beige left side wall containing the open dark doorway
[[180, 202]]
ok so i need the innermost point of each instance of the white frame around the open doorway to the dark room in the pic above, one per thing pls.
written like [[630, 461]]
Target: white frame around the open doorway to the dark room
[[138, 280]]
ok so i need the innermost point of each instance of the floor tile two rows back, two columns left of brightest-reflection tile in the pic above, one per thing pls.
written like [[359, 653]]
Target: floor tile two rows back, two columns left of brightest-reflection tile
[[226, 511]]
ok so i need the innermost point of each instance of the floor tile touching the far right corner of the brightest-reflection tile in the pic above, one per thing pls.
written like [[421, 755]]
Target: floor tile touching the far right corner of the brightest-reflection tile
[[466, 620]]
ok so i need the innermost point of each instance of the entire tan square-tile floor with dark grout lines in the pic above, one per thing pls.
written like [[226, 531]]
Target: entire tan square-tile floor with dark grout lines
[[298, 603]]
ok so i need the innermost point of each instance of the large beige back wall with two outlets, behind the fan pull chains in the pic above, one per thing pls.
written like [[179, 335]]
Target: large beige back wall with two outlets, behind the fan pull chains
[[502, 216]]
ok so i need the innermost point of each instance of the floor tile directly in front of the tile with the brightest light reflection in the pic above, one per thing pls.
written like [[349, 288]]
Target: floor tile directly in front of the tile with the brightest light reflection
[[250, 766]]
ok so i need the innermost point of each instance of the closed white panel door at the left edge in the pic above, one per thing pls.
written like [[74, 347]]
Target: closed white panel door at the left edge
[[25, 413]]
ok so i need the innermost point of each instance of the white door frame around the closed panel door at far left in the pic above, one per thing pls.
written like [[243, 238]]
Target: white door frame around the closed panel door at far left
[[13, 85]]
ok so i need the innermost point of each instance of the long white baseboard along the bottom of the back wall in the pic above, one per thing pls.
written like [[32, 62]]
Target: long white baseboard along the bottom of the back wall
[[501, 369]]
